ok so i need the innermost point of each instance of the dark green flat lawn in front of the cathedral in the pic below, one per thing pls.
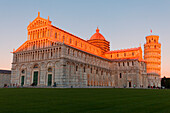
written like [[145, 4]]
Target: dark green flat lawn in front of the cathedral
[[27, 100]]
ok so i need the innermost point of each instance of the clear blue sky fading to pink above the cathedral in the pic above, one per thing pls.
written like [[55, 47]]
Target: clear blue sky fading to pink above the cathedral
[[125, 23]]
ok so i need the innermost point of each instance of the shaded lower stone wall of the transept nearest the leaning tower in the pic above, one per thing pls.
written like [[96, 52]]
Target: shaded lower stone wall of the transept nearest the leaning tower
[[130, 73]]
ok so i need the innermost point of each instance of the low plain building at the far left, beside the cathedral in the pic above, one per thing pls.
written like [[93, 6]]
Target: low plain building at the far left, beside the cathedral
[[5, 77]]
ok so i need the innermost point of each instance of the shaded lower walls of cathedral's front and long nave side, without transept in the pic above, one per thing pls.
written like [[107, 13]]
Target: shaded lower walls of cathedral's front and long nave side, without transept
[[68, 65]]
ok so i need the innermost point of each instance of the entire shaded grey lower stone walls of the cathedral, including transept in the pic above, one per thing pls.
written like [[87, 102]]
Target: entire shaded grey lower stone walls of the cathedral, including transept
[[74, 67]]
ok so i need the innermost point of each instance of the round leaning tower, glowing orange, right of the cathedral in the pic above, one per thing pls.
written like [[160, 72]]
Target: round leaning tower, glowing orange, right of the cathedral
[[152, 56]]
